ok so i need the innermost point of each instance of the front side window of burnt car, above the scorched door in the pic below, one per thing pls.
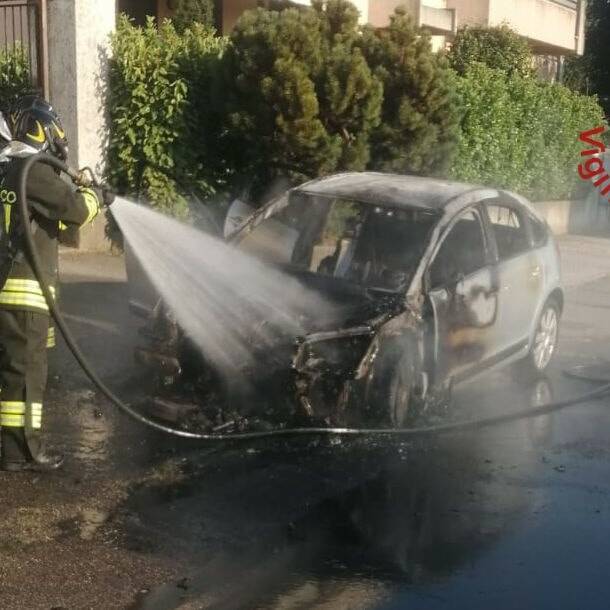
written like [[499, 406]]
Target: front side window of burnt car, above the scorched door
[[461, 253]]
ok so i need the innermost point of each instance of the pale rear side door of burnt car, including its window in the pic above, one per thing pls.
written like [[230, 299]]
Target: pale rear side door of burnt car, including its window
[[520, 273]]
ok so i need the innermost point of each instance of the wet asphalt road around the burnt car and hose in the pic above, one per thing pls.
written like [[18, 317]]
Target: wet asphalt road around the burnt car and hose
[[516, 516]]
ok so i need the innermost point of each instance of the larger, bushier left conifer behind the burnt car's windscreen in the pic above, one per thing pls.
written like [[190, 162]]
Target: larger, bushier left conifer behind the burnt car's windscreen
[[303, 99]]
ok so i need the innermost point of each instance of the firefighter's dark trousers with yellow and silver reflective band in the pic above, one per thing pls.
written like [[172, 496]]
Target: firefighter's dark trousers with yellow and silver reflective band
[[23, 379]]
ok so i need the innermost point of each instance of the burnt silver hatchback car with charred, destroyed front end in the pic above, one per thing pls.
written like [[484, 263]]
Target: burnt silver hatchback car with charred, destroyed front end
[[434, 282]]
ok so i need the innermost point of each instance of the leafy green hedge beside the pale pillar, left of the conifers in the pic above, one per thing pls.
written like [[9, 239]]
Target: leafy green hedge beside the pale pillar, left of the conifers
[[159, 97]]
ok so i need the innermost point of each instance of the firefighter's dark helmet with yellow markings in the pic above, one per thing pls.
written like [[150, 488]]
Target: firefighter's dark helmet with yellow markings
[[35, 122]]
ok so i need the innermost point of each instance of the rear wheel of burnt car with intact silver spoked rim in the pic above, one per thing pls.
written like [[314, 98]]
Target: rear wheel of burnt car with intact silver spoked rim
[[544, 343]]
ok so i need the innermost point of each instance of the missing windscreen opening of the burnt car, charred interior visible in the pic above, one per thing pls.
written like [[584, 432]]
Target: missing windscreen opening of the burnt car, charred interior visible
[[371, 245]]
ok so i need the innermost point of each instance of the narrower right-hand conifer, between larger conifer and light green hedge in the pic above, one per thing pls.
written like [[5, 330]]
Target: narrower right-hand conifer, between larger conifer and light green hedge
[[420, 114]]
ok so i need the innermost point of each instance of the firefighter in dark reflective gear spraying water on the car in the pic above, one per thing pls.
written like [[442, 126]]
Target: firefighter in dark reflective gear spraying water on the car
[[25, 328]]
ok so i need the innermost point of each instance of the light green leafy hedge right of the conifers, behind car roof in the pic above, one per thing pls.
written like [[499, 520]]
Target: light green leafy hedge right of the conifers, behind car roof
[[521, 134]]
